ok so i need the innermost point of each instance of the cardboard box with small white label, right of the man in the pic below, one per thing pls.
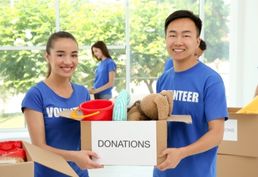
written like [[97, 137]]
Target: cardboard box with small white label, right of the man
[[238, 152]]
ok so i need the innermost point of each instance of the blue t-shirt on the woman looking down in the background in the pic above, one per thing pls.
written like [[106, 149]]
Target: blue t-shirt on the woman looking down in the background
[[102, 75]]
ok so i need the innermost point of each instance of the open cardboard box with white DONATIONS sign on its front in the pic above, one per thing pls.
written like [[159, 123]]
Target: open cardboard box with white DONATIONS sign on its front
[[127, 142]]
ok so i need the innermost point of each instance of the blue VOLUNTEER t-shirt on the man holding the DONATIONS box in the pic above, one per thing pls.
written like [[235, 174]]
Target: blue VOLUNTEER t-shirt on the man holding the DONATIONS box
[[199, 92]]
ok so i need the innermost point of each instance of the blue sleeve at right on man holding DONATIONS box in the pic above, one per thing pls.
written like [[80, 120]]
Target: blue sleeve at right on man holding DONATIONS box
[[215, 99]]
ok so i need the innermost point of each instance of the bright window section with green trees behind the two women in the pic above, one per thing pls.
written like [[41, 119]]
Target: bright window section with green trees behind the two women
[[25, 30]]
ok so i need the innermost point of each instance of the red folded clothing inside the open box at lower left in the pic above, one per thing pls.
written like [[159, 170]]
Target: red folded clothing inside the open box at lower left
[[12, 152]]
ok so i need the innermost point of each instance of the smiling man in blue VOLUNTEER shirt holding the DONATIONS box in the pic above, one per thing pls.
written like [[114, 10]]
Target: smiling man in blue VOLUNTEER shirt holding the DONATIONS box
[[198, 91]]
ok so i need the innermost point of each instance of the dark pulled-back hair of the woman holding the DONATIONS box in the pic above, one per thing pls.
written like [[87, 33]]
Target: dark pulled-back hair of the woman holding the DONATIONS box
[[52, 38]]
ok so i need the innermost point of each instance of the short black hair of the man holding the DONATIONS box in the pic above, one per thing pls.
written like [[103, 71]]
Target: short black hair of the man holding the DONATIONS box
[[184, 14]]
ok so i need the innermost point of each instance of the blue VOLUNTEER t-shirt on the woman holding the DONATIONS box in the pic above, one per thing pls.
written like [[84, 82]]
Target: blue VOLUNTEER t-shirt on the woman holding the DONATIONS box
[[62, 133]]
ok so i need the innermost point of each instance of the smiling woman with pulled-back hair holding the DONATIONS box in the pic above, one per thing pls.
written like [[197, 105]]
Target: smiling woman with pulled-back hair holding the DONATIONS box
[[45, 100]]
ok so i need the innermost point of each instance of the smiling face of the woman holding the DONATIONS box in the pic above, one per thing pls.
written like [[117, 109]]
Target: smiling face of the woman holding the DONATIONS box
[[63, 57]]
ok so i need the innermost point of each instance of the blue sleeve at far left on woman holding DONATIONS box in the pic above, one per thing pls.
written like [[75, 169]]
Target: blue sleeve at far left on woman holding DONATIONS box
[[33, 100]]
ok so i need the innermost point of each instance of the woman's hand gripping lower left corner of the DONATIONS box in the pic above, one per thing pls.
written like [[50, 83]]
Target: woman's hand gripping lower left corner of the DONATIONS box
[[84, 159]]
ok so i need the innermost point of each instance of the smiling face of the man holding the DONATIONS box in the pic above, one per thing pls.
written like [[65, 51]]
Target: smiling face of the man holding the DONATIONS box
[[182, 40]]
